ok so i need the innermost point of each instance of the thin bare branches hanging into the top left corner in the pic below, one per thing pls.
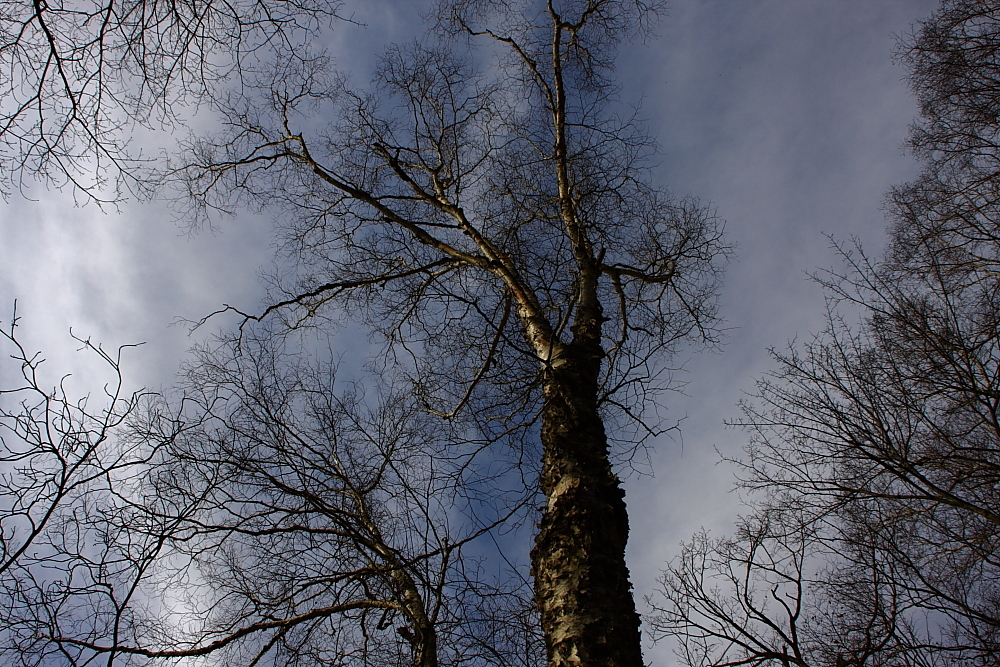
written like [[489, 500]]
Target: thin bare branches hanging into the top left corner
[[79, 76]]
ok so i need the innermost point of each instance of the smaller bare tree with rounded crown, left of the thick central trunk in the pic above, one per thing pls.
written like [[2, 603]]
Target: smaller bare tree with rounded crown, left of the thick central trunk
[[339, 518]]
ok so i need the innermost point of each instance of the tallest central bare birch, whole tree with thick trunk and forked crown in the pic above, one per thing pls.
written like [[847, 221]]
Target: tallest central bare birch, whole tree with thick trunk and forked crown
[[497, 228]]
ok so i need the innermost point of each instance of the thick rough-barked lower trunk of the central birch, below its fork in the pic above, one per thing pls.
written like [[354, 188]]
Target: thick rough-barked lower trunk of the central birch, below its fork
[[582, 587]]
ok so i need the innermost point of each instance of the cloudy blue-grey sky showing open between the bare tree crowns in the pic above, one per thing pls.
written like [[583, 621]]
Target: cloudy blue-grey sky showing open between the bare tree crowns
[[788, 115]]
